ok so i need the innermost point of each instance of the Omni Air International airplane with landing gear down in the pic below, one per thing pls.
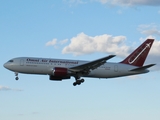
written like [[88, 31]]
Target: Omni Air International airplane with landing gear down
[[60, 69]]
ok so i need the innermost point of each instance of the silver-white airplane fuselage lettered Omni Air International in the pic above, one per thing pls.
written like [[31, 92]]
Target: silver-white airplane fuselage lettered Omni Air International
[[45, 66]]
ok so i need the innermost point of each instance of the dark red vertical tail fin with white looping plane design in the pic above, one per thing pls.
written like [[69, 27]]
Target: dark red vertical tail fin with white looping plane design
[[138, 57]]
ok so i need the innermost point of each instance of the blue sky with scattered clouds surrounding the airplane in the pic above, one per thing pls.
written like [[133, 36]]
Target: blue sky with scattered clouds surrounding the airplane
[[71, 29]]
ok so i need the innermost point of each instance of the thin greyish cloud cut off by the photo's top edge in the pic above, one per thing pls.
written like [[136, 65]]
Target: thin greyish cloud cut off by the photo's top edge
[[131, 2]]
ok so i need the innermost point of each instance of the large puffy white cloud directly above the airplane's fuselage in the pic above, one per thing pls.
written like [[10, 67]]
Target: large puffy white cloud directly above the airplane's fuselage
[[84, 44]]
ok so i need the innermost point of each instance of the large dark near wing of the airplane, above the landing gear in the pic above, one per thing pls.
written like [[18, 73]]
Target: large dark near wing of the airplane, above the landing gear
[[91, 65]]
